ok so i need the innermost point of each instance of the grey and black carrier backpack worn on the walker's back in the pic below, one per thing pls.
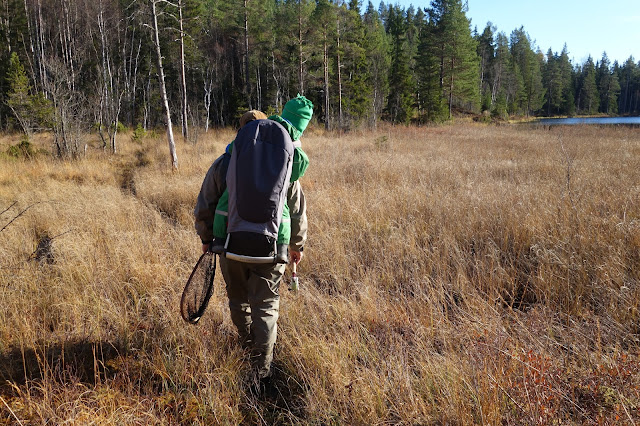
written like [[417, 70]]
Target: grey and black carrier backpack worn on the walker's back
[[257, 180]]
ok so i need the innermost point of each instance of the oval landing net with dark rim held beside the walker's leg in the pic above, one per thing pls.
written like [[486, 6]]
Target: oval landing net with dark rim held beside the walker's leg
[[199, 288]]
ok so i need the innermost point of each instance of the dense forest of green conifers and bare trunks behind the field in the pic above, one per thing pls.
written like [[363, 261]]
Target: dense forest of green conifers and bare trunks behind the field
[[75, 65]]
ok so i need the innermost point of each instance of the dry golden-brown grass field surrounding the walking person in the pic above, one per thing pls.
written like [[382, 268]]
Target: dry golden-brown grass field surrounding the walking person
[[461, 274]]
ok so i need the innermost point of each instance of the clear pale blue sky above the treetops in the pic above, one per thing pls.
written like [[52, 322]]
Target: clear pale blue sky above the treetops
[[588, 27]]
